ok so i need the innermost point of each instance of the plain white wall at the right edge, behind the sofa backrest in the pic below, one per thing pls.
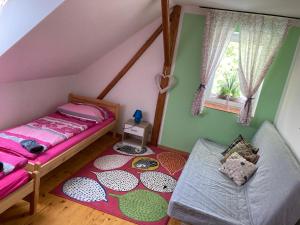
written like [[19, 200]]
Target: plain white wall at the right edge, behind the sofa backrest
[[288, 120]]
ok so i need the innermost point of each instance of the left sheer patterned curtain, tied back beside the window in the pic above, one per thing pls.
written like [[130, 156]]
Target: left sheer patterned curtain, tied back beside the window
[[218, 29]]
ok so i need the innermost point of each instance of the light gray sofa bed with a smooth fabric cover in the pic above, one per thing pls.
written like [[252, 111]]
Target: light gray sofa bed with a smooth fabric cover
[[204, 196]]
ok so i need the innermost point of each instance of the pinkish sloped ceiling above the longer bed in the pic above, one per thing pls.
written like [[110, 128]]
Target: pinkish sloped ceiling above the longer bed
[[75, 35]]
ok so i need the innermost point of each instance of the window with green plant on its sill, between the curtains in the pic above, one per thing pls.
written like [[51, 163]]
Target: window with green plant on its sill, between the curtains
[[224, 89]]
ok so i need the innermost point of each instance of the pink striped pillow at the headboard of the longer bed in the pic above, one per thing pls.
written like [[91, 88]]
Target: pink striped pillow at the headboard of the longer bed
[[84, 112]]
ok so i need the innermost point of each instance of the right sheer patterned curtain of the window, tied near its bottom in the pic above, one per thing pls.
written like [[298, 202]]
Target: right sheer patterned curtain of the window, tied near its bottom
[[260, 39]]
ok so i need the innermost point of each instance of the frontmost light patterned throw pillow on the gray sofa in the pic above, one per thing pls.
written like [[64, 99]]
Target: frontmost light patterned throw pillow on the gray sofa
[[238, 169]]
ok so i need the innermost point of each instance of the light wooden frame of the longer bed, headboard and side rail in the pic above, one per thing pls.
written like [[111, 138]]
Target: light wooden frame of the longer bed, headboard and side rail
[[55, 162]]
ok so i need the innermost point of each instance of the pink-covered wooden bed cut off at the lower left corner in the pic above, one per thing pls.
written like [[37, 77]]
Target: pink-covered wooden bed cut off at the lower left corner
[[17, 183]]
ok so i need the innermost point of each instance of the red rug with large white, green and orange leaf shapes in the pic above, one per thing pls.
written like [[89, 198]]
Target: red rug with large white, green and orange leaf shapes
[[132, 185]]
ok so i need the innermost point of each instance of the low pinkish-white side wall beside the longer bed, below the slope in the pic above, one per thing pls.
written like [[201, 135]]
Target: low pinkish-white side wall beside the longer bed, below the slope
[[27, 100]]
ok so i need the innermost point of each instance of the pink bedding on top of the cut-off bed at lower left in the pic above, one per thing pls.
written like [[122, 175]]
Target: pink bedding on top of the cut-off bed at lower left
[[11, 163]]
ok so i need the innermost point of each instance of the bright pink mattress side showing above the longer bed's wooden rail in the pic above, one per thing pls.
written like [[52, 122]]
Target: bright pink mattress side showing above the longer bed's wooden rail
[[62, 147]]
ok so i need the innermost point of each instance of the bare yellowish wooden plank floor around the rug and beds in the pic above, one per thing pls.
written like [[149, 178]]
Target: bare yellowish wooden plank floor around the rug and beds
[[53, 210]]
